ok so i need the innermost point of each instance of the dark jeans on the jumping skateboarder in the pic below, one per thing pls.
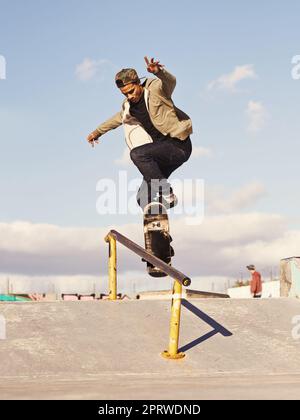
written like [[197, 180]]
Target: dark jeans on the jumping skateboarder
[[156, 161]]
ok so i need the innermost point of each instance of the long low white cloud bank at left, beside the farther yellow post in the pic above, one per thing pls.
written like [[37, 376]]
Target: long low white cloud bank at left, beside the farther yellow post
[[30, 248]]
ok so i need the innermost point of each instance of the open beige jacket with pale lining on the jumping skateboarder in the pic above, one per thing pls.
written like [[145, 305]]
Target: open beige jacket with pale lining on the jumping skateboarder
[[164, 115]]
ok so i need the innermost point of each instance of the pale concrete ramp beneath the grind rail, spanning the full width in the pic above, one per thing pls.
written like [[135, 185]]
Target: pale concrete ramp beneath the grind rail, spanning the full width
[[111, 350]]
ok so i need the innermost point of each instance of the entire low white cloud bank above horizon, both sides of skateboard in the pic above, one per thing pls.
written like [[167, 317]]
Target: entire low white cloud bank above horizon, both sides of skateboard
[[220, 246]]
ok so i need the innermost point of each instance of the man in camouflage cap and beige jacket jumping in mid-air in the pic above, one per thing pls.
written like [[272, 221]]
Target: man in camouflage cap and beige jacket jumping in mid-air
[[156, 132]]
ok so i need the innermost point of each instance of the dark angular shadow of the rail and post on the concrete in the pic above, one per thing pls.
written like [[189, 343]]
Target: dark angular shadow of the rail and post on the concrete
[[217, 328]]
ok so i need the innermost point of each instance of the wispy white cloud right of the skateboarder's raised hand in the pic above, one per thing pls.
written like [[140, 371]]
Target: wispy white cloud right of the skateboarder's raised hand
[[229, 81]]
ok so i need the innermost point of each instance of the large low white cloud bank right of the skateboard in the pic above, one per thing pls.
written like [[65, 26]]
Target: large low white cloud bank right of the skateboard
[[224, 245]]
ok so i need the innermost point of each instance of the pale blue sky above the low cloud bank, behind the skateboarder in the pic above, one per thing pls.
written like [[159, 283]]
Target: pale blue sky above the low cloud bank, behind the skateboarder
[[49, 173]]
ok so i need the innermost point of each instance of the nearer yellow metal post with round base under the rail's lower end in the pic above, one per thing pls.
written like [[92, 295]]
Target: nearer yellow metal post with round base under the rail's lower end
[[172, 353]]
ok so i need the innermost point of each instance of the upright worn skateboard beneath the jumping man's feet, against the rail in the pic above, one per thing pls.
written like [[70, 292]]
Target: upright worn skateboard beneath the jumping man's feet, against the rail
[[157, 236]]
